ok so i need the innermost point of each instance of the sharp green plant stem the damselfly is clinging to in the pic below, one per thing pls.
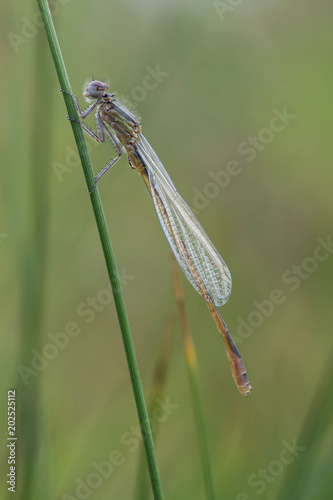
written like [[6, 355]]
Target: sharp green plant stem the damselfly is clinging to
[[108, 253]]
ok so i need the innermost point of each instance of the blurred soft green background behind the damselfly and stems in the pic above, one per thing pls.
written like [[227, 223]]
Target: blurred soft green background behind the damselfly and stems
[[224, 70]]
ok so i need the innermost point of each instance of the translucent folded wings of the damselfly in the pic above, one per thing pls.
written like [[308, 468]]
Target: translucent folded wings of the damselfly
[[182, 228]]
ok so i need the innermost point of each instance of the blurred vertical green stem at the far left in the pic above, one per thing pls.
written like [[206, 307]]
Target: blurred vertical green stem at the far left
[[32, 262]]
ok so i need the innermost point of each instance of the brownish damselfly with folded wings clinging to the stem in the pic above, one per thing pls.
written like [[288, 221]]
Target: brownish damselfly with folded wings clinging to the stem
[[198, 258]]
